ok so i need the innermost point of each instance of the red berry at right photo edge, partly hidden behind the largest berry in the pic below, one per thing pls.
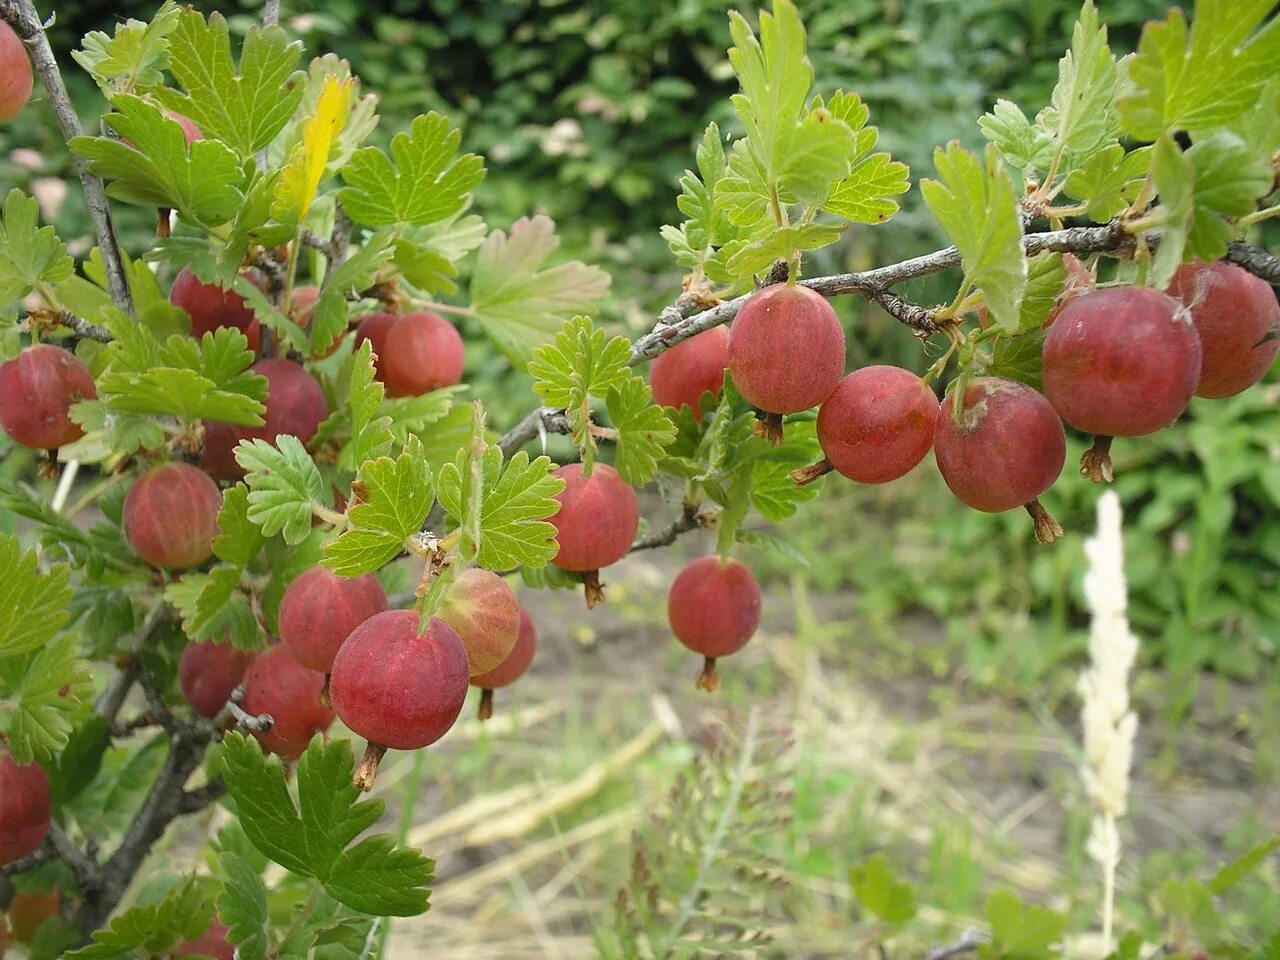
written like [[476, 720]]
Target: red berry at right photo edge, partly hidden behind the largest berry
[[1238, 321]]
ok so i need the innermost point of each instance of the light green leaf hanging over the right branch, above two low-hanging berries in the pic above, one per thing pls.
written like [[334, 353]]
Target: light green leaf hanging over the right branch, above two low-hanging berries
[[977, 205]]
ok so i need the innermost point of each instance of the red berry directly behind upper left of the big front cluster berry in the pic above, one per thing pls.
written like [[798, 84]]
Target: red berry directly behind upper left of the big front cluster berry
[[319, 611]]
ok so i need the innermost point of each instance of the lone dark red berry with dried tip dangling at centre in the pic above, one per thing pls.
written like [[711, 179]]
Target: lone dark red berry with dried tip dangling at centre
[[715, 609]]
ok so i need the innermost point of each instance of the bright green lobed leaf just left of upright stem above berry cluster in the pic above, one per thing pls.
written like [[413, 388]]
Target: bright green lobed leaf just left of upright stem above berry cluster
[[392, 499]]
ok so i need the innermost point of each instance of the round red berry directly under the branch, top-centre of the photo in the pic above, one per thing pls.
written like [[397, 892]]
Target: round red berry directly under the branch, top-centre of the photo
[[787, 350]]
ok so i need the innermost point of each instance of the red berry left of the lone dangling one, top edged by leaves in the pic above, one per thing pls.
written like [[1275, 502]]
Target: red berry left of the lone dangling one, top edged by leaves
[[597, 522]]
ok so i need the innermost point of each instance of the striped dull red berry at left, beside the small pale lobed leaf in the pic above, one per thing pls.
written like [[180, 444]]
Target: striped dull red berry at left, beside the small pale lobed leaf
[[171, 516]]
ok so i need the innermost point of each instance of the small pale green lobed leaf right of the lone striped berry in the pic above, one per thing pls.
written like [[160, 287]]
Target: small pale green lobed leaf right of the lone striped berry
[[285, 486]]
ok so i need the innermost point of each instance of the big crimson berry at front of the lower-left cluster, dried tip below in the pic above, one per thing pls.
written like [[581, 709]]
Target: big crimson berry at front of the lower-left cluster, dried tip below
[[397, 689]]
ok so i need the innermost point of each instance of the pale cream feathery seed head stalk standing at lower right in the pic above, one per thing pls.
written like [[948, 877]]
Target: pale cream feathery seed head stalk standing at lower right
[[1108, 720]]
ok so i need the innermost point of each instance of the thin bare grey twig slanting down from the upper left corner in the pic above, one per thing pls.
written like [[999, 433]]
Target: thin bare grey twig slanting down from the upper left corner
[[21, 15]]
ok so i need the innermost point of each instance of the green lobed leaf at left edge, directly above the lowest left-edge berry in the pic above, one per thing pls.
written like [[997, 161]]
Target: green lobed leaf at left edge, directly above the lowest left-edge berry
[[56, 685]]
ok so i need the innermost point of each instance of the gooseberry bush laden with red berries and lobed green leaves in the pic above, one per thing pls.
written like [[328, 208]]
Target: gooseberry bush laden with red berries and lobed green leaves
[[272, 404]]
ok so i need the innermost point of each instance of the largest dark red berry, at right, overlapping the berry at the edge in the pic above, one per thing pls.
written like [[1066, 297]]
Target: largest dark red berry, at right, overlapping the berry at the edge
[[1122, 363]]
